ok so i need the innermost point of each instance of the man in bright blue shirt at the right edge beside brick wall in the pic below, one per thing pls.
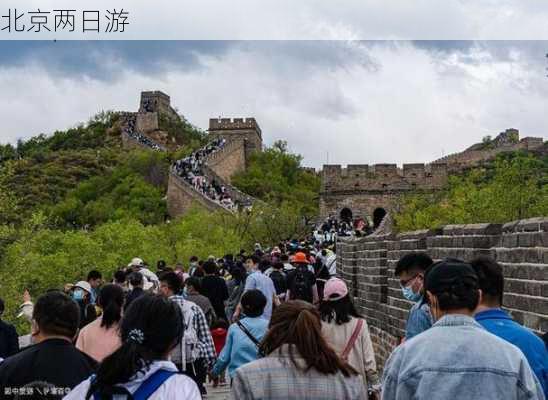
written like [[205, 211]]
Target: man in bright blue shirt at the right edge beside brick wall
[[492, 317]]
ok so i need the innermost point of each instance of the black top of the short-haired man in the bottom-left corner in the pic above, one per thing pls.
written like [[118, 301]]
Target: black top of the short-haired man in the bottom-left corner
[[55, 361]]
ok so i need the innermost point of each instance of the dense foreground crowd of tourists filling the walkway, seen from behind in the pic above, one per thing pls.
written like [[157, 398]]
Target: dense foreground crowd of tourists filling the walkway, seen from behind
[[275, 323]]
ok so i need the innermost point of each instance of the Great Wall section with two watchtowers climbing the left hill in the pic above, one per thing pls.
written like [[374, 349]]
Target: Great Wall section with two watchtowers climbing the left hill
[[243, 136]]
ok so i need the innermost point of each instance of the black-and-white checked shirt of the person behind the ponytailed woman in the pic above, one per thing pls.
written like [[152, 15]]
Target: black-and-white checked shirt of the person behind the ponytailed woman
[[205, 341]]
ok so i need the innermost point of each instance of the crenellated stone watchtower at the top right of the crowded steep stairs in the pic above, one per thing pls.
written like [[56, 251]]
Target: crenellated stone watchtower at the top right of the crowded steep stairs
[[246, 131]]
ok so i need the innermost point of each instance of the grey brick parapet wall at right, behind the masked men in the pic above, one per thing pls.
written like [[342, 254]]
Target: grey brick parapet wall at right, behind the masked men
[[521, 247]]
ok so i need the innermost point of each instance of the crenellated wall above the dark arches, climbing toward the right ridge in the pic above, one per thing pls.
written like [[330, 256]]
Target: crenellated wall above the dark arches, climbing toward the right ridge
[[363, 188]]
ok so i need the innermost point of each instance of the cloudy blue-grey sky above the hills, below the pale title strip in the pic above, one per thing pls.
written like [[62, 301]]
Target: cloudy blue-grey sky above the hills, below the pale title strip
[[344, 101]]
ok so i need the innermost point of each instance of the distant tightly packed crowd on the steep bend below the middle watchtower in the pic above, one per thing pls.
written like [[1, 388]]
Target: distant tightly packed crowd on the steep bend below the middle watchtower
[[190, 169]]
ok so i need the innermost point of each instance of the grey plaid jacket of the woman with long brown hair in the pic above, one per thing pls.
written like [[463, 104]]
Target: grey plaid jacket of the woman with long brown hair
[[275, 377]]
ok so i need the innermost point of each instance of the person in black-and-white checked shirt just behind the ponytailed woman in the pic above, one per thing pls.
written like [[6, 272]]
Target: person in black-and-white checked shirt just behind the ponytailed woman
[[196, 354]]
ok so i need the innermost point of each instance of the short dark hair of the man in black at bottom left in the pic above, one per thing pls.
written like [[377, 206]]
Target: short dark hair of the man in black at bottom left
[[56, 313]]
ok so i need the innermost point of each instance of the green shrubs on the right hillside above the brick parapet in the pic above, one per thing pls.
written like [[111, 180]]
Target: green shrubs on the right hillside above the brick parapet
[[514, 186]]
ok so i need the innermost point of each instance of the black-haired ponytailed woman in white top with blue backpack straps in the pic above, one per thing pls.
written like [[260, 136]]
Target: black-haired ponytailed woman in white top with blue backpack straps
[[150, 329]]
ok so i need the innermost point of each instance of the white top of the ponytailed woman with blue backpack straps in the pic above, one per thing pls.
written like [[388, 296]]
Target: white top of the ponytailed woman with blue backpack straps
[[177, 387]]
